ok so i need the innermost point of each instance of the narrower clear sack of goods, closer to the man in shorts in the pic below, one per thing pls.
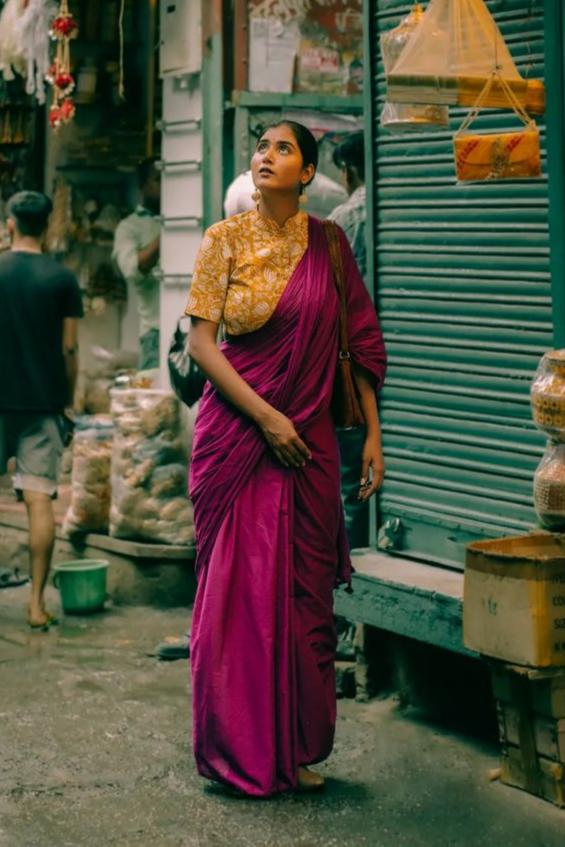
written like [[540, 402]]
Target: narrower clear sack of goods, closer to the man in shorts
[[89, 510]]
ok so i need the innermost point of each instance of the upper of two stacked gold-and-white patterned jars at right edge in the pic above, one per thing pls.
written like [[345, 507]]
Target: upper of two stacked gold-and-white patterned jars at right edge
[[548, 395]]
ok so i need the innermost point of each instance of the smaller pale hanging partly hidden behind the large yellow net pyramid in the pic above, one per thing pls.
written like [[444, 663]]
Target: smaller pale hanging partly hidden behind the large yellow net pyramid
[[406, 117]]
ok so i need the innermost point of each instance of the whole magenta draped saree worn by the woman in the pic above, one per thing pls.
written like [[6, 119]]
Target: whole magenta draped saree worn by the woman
[[271, 542]]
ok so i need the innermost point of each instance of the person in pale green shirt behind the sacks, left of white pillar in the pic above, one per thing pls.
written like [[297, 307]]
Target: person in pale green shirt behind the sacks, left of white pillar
[[136, 252]]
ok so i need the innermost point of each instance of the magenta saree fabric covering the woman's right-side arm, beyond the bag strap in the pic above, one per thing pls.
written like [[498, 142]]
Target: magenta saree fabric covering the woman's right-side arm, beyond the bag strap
[[366, 343]]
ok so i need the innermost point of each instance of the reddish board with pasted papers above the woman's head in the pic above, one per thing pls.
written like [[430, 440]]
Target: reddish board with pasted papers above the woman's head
[[306, 46]]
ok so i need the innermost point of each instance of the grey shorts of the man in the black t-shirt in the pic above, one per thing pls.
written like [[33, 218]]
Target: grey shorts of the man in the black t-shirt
[[36, 443]]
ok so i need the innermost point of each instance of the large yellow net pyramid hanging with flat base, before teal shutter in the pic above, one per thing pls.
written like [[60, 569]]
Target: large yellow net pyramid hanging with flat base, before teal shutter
[[450, 57]]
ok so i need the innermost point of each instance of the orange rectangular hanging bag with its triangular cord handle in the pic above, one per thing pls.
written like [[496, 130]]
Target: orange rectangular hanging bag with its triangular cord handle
[[497, 155]]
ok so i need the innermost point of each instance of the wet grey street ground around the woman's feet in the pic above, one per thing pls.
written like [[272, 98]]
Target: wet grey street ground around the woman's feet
[[95, 752]]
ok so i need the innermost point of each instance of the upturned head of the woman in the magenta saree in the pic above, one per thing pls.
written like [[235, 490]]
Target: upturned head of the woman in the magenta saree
[[277, 162]]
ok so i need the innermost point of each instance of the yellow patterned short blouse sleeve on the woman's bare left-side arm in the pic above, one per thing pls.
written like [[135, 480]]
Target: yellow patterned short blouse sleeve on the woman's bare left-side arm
[[210, 278]]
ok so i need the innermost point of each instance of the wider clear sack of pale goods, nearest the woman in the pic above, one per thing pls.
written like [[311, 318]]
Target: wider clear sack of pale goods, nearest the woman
[[149, 468]]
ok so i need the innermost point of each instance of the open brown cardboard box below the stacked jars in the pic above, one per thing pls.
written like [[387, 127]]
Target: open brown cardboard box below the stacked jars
[[514, 599]]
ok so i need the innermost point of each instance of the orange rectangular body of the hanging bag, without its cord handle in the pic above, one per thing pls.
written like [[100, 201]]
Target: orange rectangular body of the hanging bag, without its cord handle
[[503, 155]]
